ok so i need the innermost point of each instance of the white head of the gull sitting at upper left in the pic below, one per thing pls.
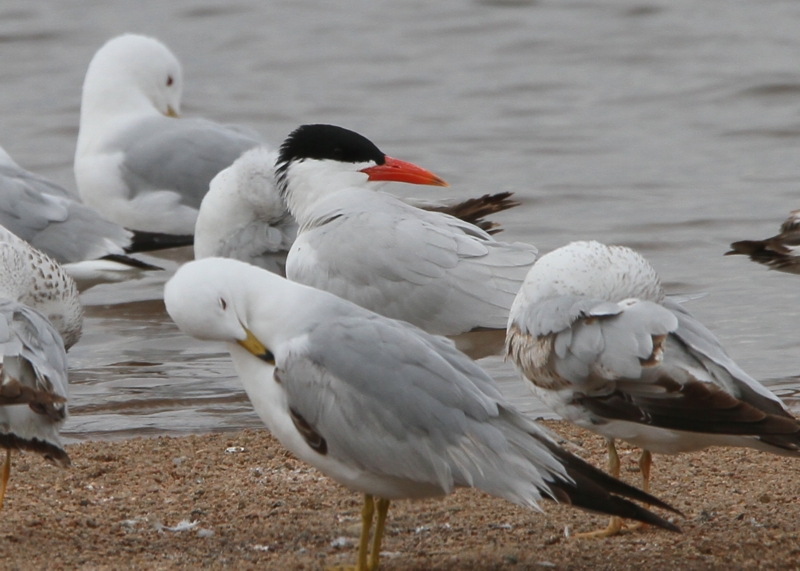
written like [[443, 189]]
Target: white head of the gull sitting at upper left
[[132, 74]]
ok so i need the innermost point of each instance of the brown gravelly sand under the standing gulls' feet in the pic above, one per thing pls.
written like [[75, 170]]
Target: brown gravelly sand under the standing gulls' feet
[[251, 505]]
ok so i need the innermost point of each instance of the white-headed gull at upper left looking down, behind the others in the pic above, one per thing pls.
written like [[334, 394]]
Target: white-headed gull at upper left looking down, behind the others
[[136, 162]]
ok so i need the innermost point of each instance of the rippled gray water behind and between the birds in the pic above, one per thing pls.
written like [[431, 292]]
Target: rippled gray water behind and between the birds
[[669, 126]]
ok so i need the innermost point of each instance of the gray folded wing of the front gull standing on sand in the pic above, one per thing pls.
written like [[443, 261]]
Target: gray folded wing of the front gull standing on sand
[[397, 403]]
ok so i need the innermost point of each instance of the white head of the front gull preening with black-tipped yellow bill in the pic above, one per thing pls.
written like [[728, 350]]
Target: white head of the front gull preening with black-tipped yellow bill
[[203, 300]]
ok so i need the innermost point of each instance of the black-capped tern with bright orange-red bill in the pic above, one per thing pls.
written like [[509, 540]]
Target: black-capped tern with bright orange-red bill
[[435, 271]]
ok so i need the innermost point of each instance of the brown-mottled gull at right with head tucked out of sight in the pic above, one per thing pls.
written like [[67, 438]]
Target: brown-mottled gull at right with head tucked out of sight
[[601, 344]]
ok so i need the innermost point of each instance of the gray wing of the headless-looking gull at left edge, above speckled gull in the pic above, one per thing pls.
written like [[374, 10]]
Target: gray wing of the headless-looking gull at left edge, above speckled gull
[[47, 217]]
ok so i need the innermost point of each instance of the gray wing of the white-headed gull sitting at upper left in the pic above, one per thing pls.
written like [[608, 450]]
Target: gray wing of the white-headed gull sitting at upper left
[[181, 155]]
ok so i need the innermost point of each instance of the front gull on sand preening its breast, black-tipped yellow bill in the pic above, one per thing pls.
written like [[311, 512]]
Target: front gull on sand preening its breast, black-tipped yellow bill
[[379, 405]]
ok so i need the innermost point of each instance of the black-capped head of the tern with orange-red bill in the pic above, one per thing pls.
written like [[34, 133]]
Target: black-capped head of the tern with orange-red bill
[[316, 160]]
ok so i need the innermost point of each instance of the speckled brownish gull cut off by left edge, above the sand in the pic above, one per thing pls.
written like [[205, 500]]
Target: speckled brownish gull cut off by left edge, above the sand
[[40, 317]]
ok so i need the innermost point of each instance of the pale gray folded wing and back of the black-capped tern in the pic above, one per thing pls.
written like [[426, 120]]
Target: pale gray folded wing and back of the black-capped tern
[[435, 271]]
